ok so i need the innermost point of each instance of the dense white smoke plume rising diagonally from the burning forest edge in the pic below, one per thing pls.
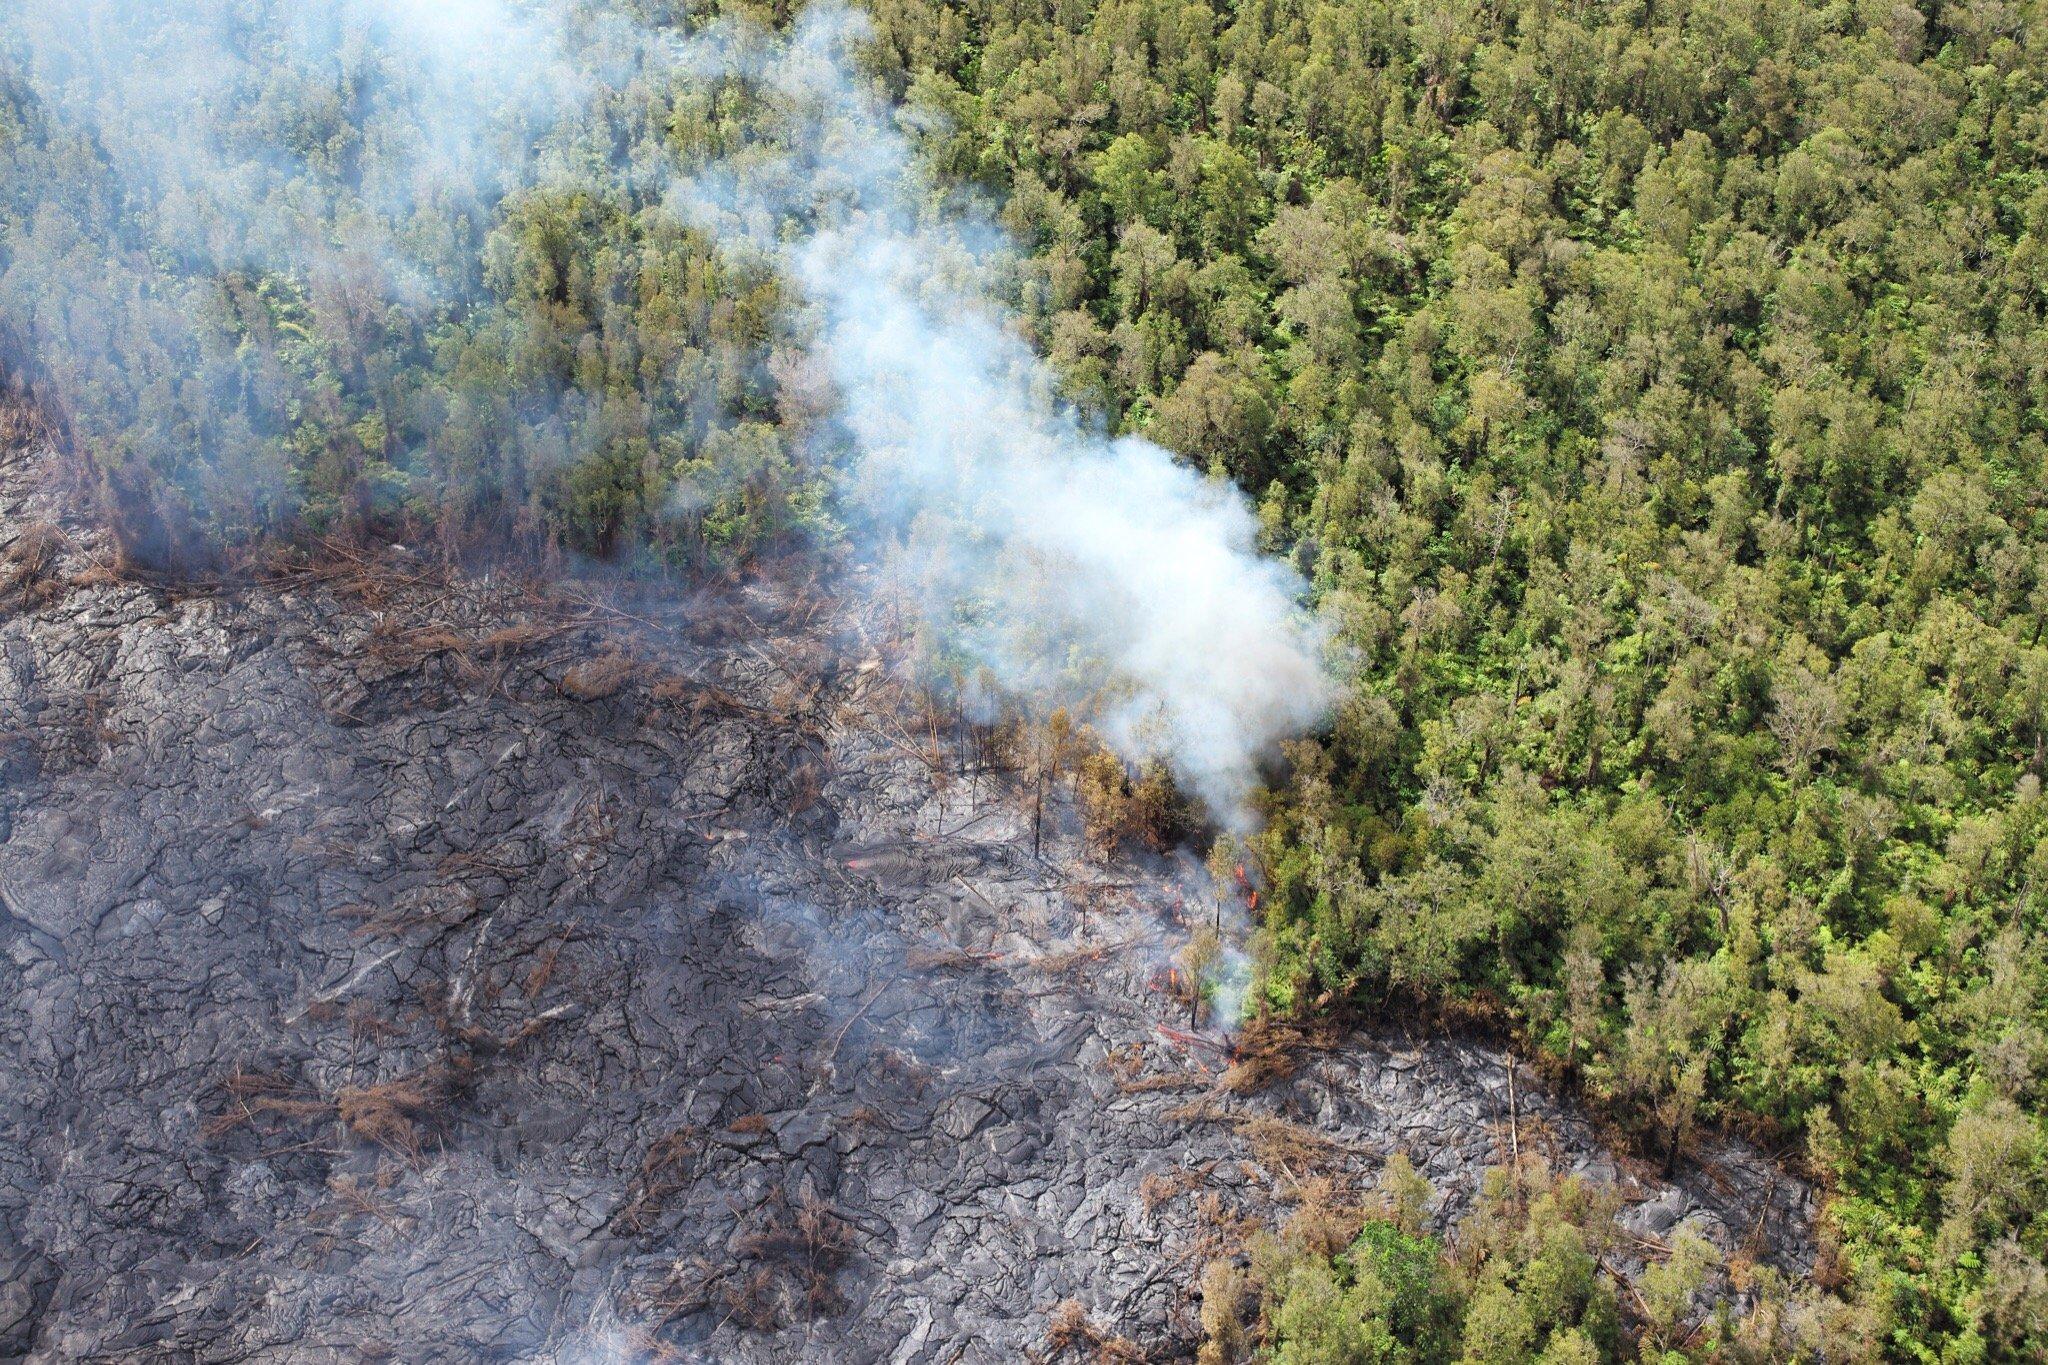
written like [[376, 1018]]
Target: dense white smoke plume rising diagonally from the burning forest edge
[[1076, 568]]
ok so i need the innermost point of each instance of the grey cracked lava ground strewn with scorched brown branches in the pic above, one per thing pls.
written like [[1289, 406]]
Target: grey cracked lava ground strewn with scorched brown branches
[[419, 969]]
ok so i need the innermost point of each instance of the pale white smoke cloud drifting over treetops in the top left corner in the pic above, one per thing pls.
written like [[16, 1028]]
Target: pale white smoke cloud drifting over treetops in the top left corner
[[470, 91]]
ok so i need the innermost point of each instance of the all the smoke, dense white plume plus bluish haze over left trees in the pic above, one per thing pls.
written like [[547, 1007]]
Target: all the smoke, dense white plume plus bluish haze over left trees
[[353, 300]]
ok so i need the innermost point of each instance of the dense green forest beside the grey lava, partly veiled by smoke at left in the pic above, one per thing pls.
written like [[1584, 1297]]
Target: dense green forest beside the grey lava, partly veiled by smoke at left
[[1654, 398]]
